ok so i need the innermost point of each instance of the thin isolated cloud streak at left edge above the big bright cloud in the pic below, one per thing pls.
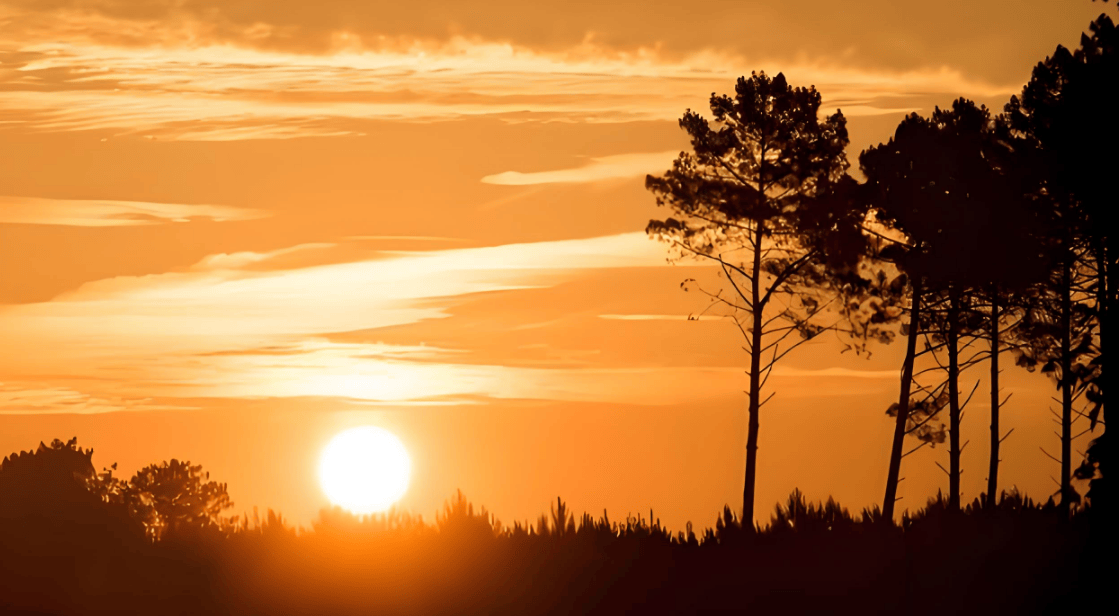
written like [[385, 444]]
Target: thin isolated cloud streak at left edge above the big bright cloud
[[114, 213]]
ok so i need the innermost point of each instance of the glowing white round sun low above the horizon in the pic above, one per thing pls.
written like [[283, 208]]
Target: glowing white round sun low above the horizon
[[365, 470]]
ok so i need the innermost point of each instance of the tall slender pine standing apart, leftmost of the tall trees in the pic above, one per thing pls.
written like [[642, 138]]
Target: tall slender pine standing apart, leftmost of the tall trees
[[763, 195]]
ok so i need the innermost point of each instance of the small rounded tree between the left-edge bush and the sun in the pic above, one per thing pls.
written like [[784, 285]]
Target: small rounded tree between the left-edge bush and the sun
[[176, 497]]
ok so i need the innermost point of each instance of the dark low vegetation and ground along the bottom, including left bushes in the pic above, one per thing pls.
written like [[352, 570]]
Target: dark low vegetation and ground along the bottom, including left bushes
[[80, 543]]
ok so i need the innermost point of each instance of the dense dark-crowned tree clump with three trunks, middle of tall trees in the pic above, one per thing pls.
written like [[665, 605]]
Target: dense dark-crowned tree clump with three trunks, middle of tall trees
[[938, 184]]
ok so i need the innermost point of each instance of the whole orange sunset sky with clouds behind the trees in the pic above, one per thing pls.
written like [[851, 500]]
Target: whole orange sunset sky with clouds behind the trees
[[230, 230]]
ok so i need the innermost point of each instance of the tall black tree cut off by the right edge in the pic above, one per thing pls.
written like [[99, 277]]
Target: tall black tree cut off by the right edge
[[1066, 116]]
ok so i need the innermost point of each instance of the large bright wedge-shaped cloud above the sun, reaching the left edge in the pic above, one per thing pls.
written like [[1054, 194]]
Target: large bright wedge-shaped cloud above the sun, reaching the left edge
[[215, 330]]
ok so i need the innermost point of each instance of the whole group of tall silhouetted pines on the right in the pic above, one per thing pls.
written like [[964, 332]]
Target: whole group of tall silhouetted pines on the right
[[979, 237]]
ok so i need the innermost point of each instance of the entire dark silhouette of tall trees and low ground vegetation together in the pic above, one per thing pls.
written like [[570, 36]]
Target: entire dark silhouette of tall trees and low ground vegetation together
[[977, 239]]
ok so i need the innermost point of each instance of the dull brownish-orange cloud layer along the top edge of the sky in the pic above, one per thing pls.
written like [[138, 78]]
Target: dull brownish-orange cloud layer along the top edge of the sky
[[977, 38]]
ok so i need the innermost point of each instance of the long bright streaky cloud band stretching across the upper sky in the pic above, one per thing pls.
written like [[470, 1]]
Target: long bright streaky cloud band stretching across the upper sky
[[221, 92]]
